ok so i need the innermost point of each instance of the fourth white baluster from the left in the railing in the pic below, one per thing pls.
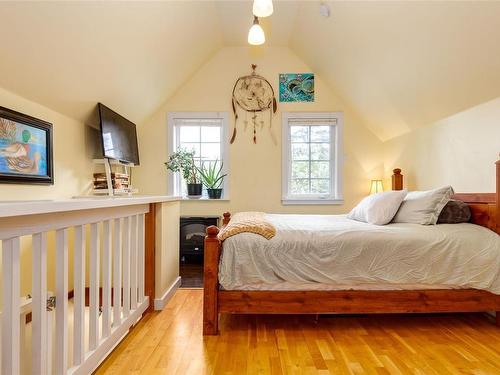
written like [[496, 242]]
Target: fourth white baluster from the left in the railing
[[79, 296]]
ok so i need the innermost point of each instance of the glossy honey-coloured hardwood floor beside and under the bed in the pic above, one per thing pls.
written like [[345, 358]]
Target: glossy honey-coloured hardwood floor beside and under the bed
[[170, 342]]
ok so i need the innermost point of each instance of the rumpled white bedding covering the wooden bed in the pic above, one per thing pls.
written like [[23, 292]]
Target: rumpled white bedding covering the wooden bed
[[333, 252]]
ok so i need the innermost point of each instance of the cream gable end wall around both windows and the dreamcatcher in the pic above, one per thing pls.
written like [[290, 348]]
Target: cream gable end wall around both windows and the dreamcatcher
[[255, 170]]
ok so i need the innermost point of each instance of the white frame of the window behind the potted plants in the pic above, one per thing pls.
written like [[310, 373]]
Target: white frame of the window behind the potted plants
[[173, 184]]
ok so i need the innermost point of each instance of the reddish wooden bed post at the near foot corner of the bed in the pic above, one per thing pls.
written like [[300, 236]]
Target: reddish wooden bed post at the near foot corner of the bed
[[210, 283]]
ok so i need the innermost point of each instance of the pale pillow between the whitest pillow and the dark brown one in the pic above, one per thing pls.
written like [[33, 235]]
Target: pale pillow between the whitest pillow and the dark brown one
[[423, 207]]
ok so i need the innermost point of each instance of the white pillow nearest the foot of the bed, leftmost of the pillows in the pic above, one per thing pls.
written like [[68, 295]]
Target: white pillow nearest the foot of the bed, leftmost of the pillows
[[378, 209]]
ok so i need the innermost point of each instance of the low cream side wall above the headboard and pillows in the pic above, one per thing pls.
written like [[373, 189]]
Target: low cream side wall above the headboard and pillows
[[460, 151]]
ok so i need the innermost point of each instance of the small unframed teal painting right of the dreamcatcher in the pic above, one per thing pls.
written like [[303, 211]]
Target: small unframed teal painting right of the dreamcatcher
[[296, 87]]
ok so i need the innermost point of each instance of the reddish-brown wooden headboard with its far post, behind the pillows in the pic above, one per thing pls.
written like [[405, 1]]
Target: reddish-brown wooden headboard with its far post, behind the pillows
[[485, 207]]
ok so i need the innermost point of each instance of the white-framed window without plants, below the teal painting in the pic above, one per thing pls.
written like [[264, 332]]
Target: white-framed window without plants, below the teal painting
[[312, 151]]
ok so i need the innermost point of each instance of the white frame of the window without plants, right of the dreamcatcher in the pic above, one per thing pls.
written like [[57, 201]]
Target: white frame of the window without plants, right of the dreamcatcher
[[336, 122]]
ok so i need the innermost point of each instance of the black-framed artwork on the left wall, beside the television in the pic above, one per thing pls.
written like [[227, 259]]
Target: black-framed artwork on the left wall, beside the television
[[25, 149]]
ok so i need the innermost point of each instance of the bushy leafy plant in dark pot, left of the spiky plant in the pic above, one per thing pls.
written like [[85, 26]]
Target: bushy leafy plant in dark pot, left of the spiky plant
[[183, 161]]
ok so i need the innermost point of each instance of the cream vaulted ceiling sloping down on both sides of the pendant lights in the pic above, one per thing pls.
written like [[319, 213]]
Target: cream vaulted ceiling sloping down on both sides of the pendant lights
[[399, 65]]
